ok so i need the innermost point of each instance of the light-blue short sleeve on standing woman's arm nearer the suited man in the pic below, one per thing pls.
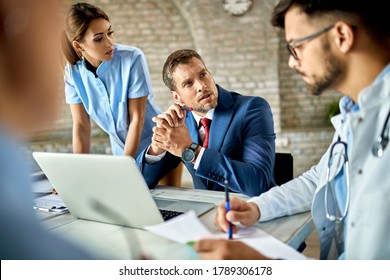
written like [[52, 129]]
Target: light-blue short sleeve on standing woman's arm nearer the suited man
[[139, 81]]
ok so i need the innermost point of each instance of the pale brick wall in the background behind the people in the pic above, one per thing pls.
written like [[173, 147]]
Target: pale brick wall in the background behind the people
[[244, 54]]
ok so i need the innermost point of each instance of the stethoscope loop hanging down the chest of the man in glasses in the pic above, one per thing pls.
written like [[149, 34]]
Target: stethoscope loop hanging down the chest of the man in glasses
[[330, 186]]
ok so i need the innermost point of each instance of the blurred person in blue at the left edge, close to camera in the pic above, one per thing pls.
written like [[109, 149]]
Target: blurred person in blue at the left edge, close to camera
[[29, 31]]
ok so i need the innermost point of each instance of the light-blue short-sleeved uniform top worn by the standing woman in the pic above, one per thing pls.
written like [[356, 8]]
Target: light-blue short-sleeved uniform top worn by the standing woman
[[105, 97]]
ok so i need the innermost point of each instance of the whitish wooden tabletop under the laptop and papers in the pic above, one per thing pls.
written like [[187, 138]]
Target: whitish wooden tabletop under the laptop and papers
[[105, 241]]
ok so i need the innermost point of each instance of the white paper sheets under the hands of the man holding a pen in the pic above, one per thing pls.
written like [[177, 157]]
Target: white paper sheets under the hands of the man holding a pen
[[187, 228]]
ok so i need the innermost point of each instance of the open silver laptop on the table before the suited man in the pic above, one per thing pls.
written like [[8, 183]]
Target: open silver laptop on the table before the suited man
[[109, 189]]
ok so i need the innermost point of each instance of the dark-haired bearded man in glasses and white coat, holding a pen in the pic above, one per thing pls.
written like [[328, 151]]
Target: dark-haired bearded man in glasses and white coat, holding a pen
[[341, 45]]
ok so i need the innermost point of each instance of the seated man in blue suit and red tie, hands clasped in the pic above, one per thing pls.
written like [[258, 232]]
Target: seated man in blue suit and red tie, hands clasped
[[237, 145]]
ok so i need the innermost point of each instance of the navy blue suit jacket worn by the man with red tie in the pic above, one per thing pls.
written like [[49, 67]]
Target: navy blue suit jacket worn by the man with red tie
[[241, 148]]
